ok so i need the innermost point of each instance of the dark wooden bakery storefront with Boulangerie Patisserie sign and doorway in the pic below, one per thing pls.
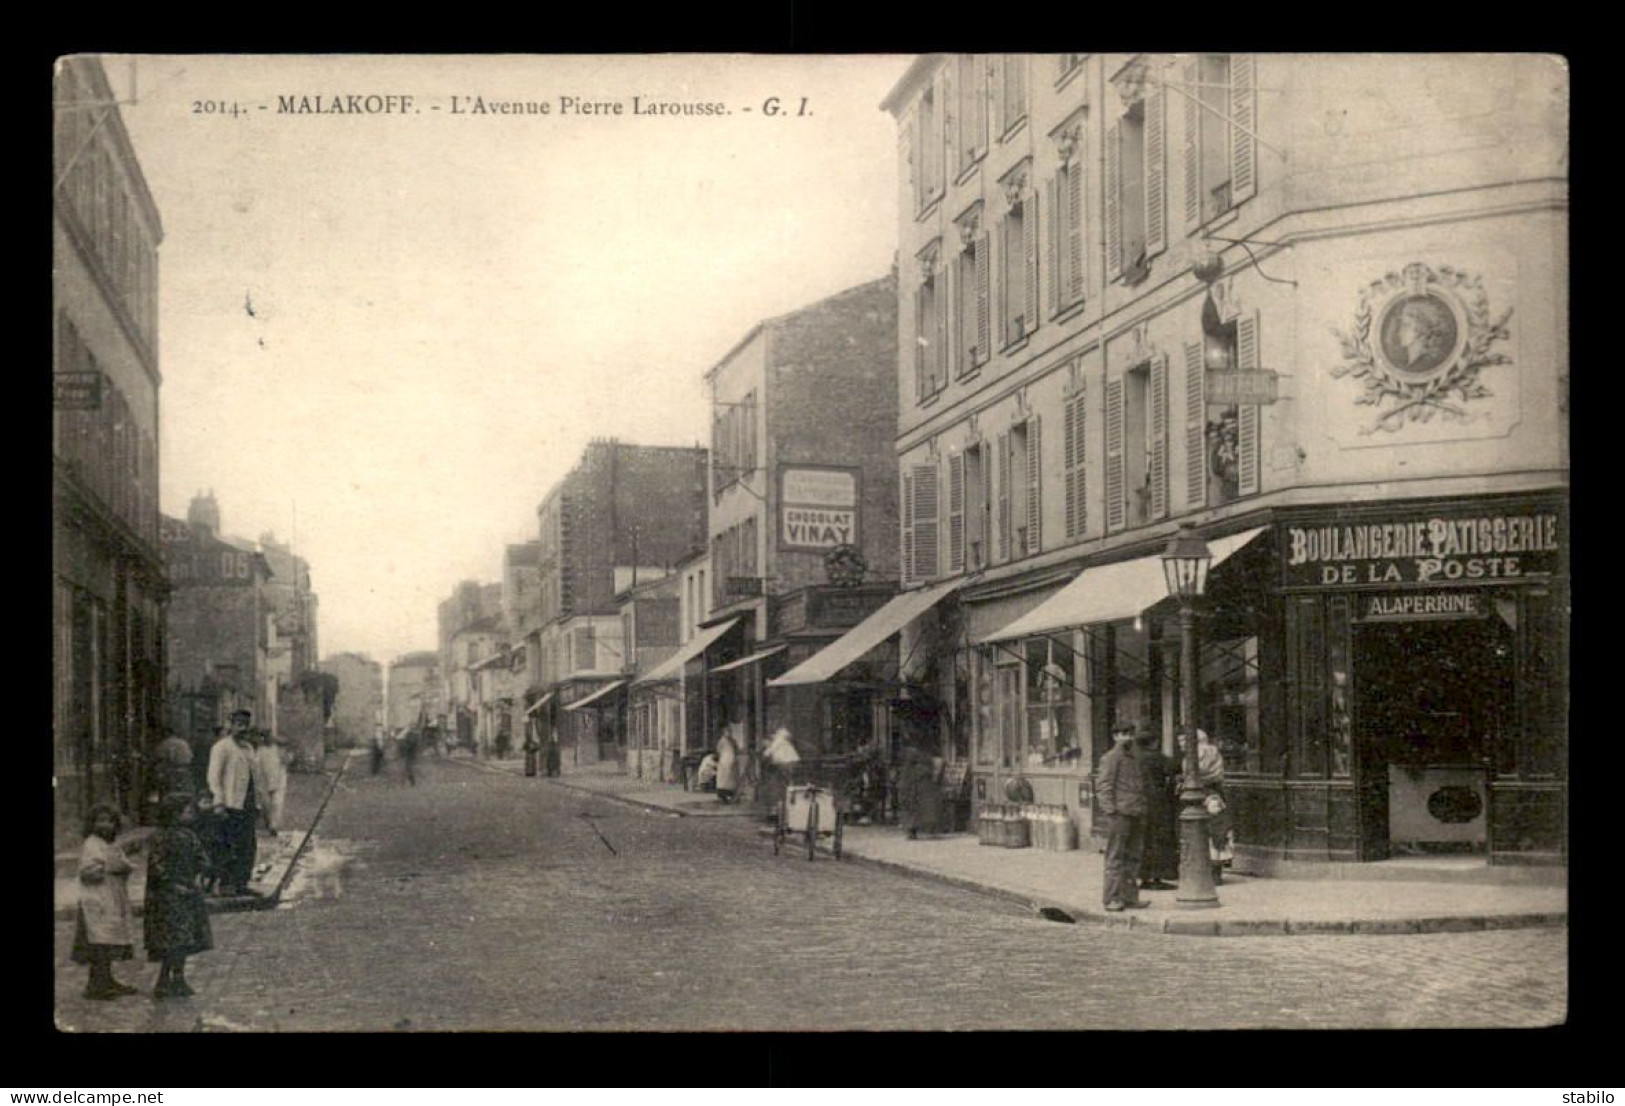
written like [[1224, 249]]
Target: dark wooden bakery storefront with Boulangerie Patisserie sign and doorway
[[1423, 685]]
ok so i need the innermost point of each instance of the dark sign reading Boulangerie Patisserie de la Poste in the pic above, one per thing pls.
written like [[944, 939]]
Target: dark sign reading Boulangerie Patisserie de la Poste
[[1426, 548]]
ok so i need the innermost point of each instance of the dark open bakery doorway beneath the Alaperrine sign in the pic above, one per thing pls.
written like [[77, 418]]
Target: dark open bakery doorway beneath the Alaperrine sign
[[1431, 699]]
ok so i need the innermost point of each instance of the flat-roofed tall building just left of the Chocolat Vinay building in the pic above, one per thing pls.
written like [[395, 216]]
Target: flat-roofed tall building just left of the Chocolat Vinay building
[[626, 514]]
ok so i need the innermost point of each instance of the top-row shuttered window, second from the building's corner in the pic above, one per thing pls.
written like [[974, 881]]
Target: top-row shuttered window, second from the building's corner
[[1137, 194]]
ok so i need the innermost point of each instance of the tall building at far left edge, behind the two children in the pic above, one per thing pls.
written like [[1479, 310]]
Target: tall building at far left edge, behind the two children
[[108, 584]]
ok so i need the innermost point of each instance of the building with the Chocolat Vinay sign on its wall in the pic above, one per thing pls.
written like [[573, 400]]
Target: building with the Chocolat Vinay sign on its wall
[[804, 512]]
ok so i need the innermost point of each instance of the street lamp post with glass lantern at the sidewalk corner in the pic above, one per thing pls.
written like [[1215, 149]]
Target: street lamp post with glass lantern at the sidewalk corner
[[1185, 568]]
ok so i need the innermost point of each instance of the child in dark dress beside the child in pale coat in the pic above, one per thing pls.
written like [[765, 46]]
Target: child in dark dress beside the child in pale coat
[[176, 918]]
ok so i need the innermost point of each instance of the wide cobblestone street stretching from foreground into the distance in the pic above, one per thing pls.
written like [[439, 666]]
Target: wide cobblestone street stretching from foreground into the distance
[[482, 901]]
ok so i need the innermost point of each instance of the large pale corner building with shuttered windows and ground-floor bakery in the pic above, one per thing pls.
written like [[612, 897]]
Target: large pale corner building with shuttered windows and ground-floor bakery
[[1094, 248]]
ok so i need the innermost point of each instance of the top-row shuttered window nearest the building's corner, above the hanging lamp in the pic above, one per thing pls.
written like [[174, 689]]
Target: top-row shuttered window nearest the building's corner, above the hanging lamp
[[1221, 119]]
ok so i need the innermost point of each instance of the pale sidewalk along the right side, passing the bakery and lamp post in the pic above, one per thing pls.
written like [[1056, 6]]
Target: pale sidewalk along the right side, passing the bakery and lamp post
[[1384, 904]]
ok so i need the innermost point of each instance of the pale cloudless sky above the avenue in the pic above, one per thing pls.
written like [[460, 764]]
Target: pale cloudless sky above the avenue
[[448, 308]]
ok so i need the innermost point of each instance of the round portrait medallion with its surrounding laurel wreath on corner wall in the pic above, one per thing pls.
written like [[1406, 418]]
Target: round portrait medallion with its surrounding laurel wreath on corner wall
[[1419, 345]]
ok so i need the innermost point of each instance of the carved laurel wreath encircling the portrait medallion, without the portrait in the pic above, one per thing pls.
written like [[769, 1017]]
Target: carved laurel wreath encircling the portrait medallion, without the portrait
[[1445, 395]]
